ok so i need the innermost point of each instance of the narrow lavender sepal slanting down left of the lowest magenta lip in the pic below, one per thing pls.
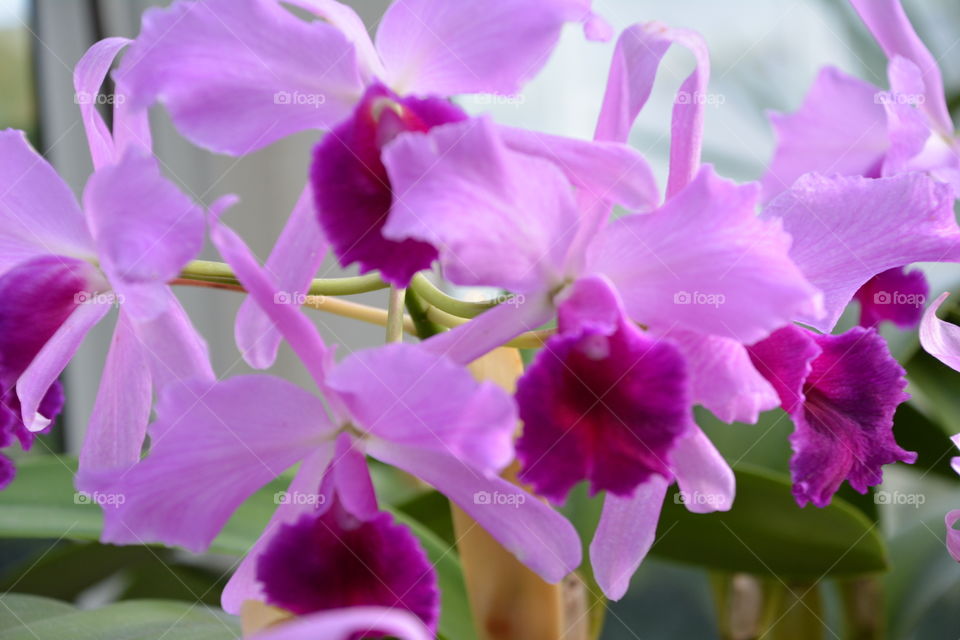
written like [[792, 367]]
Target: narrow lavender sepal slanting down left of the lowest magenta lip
[[302, 496]]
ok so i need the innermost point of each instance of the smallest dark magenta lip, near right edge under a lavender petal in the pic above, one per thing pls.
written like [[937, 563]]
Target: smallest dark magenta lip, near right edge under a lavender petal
[[896, 295]]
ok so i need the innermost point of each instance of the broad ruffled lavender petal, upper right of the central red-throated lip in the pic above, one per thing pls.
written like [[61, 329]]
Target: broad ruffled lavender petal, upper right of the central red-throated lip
[[704, 262]]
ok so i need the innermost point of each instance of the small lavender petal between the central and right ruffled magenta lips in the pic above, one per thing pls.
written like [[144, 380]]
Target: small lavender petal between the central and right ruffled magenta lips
[[722, 377]]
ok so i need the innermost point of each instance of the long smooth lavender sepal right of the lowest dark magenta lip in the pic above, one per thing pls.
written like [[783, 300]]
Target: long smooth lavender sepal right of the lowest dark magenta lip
[[537, 535]]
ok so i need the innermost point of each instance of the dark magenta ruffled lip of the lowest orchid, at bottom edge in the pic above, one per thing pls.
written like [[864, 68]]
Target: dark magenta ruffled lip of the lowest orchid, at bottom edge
[[332, 560]]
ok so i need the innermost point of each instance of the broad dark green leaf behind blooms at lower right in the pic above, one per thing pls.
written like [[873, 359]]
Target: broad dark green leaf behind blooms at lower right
[[766, 533]]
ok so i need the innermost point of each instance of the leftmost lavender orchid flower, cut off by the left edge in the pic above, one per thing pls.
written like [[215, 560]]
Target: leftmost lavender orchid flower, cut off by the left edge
[[64, 267]]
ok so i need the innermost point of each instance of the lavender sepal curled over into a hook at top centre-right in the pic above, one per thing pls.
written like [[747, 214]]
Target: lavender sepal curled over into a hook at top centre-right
[[636, 59]]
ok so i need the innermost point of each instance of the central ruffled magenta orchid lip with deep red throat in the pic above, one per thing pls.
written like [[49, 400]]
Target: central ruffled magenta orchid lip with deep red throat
[[602, 401]]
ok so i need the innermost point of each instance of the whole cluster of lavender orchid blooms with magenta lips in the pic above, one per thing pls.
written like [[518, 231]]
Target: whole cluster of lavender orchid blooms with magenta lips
[[862, 184]]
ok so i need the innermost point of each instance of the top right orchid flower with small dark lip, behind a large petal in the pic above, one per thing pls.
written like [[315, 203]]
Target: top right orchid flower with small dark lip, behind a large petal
[[849, 127]]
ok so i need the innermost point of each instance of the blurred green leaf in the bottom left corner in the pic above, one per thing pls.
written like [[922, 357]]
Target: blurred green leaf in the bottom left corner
[[35, 618]]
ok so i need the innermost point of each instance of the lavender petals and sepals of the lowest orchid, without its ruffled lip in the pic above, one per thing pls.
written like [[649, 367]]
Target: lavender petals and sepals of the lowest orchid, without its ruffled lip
[[399, 403]]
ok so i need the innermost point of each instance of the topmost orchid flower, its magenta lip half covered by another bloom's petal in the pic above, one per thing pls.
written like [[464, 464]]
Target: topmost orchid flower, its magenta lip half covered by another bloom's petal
[[239, 75]]
